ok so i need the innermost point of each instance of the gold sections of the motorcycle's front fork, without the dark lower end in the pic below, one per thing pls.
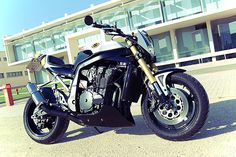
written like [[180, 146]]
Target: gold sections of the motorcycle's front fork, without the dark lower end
[[142, 63]]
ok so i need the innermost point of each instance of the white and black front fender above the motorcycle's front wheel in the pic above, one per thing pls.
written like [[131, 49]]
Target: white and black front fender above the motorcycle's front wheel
[[162, 75]]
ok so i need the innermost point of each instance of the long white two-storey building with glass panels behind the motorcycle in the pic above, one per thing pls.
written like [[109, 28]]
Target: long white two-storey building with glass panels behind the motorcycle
[[185, 32]]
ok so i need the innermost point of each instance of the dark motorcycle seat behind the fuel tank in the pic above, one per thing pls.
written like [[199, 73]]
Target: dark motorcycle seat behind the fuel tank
[[57, 66]]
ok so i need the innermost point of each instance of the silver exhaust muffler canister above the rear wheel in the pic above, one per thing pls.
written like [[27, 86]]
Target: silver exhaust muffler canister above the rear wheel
[[36, 94]]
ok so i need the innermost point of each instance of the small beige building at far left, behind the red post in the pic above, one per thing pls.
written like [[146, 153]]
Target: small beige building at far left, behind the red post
[[16, 75]]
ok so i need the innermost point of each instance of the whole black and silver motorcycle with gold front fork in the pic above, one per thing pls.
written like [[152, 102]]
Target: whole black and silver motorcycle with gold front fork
[[104, 84]]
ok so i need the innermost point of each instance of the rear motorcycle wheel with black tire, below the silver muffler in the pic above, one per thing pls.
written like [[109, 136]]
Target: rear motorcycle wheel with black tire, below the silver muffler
[[44, 129]]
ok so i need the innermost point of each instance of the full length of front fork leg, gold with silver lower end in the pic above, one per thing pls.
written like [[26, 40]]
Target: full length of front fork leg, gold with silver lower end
[[145, 68]]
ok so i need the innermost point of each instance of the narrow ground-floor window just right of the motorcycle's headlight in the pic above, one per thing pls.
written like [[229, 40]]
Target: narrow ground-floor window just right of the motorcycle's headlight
[[163, 47]]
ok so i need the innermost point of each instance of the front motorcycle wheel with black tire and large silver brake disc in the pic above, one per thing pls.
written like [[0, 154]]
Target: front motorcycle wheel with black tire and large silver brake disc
[[186, 113]]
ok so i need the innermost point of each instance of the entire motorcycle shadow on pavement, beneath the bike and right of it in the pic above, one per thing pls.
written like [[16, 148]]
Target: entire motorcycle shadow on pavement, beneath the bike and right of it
[[221, 119]]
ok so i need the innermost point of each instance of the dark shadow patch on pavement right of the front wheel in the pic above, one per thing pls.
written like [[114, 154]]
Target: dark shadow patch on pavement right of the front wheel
[[221, 119]]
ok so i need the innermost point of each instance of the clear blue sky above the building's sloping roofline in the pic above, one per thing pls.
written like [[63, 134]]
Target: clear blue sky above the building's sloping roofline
[[16, 15]]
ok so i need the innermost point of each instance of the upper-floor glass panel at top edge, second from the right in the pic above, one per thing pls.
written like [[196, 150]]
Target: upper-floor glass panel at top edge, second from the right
[[174, 9]]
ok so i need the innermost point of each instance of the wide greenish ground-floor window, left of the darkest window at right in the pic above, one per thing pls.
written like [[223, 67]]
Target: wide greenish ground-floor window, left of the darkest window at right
[[192, 41]]
